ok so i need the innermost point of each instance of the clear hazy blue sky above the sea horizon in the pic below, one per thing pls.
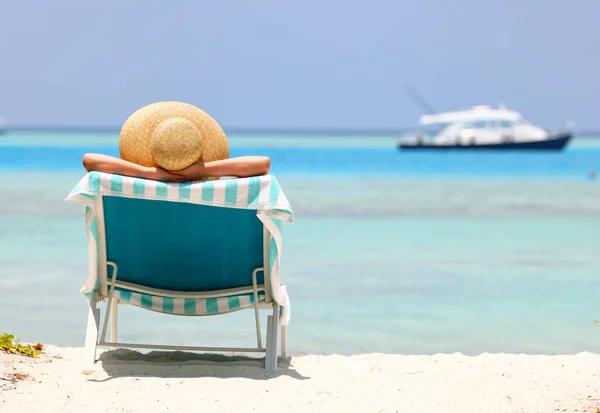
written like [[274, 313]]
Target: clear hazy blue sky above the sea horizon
[[298, 65]]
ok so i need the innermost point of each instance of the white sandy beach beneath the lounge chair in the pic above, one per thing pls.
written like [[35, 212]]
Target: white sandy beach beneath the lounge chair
[[128, 382]]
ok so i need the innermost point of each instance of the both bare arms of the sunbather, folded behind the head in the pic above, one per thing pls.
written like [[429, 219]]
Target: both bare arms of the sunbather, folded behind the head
[[241, 167]]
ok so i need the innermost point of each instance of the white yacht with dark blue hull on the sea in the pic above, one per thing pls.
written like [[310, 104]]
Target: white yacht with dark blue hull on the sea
[[484, 127]]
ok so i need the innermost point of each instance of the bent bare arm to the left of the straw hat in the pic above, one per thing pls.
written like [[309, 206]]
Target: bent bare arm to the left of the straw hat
[[112, 165]]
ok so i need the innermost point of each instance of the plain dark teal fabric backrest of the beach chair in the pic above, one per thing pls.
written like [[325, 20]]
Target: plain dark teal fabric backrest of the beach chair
[[182, 247]]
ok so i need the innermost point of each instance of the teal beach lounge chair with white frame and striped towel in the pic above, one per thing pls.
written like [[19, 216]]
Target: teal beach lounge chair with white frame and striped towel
[[191, 249]]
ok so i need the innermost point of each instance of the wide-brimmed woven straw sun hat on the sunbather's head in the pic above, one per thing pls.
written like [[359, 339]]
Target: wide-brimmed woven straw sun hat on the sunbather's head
[[172, 136]]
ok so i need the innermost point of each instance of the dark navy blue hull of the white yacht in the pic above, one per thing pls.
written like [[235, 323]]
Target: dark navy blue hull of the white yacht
[[554, 143]]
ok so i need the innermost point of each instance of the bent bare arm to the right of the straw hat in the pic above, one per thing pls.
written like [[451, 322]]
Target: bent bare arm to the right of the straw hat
[[241, 167]]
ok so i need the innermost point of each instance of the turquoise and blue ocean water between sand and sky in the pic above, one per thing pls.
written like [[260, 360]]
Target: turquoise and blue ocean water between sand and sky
[[390, 252]]
